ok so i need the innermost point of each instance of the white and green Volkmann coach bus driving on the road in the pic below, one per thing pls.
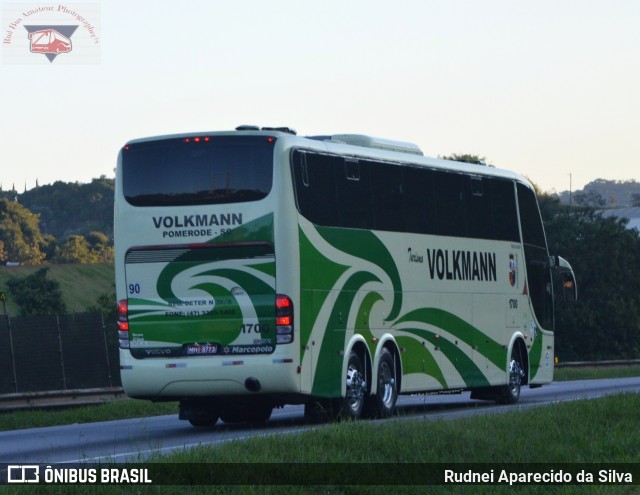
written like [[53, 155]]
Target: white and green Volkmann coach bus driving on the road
[[256, 268]]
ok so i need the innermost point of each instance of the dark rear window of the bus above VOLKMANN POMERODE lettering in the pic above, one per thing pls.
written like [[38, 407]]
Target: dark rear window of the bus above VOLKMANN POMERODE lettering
[[190, 171]]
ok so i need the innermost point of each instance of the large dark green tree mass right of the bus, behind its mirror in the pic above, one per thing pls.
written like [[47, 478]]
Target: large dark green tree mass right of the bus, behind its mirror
[[605, 321]]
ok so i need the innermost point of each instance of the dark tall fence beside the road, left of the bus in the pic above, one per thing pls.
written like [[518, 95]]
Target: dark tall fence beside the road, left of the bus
[[66, 352]]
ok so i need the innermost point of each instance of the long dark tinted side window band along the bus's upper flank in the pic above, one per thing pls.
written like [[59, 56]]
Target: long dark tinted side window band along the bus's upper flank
[[341, 191]]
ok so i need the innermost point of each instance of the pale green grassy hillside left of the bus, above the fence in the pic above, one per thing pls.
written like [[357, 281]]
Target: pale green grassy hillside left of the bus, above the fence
[[81, 285]]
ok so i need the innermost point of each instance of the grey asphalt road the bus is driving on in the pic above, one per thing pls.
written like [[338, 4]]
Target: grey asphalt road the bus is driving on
[[132, 440]]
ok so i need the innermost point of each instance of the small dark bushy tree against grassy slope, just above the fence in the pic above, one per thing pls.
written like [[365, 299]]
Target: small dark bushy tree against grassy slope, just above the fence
[[37, 295]]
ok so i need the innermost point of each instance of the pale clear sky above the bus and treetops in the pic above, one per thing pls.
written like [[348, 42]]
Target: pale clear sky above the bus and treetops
[[549, 89]]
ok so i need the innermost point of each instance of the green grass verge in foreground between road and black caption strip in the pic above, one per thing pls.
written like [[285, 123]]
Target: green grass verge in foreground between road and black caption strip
[[538, 435]]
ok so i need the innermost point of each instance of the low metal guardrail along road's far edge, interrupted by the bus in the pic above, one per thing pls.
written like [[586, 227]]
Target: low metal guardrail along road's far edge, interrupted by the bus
[[67, 398]]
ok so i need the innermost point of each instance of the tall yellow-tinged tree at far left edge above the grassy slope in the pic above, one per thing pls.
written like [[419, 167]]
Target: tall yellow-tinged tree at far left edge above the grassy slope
[[20, 234]]
